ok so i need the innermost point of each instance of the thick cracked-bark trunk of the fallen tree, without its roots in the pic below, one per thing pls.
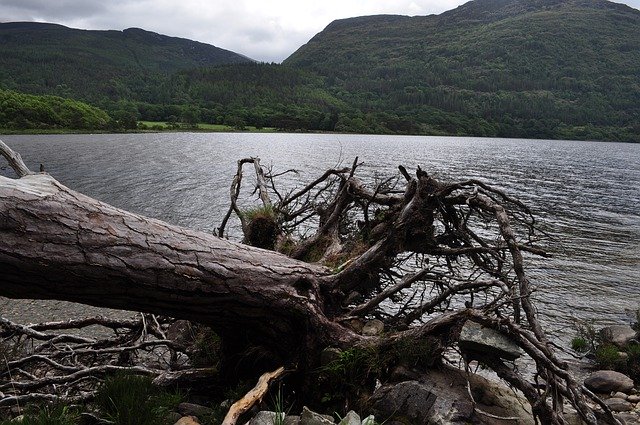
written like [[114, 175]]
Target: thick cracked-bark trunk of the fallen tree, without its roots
[[56, 243]]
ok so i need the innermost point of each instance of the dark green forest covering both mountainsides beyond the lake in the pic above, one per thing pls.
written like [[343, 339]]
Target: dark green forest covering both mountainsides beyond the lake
[[551, 70]]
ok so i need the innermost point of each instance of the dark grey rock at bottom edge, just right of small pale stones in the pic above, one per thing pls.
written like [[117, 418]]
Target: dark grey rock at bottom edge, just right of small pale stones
[[410, 401]]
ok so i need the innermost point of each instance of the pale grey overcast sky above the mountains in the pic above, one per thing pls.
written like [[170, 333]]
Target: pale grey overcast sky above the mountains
[[265, 30]]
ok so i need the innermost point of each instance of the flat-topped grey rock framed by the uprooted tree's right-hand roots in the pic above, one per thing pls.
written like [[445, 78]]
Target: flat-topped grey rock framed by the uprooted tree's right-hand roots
[[476, 339]]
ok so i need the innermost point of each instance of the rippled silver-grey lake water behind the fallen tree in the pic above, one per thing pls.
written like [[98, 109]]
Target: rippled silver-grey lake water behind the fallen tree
[[585, 194]]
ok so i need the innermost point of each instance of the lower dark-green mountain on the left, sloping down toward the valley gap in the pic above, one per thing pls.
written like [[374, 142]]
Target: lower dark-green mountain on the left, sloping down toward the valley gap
[[94, 65]]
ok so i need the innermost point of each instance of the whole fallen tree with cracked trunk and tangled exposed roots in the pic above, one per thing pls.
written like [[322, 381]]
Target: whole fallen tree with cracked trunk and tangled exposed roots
[[421, 255]]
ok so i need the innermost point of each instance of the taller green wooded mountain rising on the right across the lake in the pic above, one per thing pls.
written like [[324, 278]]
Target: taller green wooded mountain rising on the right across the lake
[[523, 68]]
